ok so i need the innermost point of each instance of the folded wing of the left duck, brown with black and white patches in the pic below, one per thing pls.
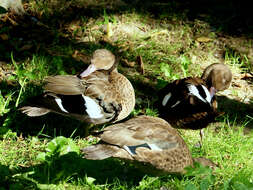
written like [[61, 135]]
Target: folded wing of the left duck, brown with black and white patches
[[90, 100]]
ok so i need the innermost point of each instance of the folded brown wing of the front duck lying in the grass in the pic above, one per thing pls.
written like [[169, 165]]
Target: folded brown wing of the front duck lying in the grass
[[142, 132]]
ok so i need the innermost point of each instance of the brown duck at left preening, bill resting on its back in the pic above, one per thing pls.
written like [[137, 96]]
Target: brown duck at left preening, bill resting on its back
[[98, 95]]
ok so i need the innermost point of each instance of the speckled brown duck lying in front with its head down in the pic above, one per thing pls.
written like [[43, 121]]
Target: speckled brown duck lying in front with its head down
[[147, 141]]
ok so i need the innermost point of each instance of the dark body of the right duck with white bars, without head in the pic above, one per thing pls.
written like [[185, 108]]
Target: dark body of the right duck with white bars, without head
[[188, 103]]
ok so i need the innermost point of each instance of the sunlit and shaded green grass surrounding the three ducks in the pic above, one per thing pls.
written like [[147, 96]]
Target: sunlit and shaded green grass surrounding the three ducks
[[44, 152]]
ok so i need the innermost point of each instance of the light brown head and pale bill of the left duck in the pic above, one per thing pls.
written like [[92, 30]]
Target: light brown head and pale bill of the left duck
[[102, 59]]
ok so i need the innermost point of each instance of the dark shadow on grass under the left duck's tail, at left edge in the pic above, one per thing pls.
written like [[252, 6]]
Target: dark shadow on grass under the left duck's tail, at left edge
[[50, 125]]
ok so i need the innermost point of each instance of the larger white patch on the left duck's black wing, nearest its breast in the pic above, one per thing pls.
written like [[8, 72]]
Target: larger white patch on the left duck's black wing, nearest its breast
[[92, 108]]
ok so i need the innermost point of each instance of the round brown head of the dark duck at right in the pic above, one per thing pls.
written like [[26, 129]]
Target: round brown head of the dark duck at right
[[217, 75]]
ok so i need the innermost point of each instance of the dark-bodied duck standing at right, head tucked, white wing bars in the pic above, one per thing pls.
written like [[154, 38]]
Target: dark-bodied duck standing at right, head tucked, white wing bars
[[190, 103]]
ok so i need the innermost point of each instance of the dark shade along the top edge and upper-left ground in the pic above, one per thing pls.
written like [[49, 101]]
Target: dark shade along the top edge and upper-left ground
[[232, 17]]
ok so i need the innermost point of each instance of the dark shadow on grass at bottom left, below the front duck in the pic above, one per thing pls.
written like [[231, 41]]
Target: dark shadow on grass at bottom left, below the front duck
[[72, 168]]
